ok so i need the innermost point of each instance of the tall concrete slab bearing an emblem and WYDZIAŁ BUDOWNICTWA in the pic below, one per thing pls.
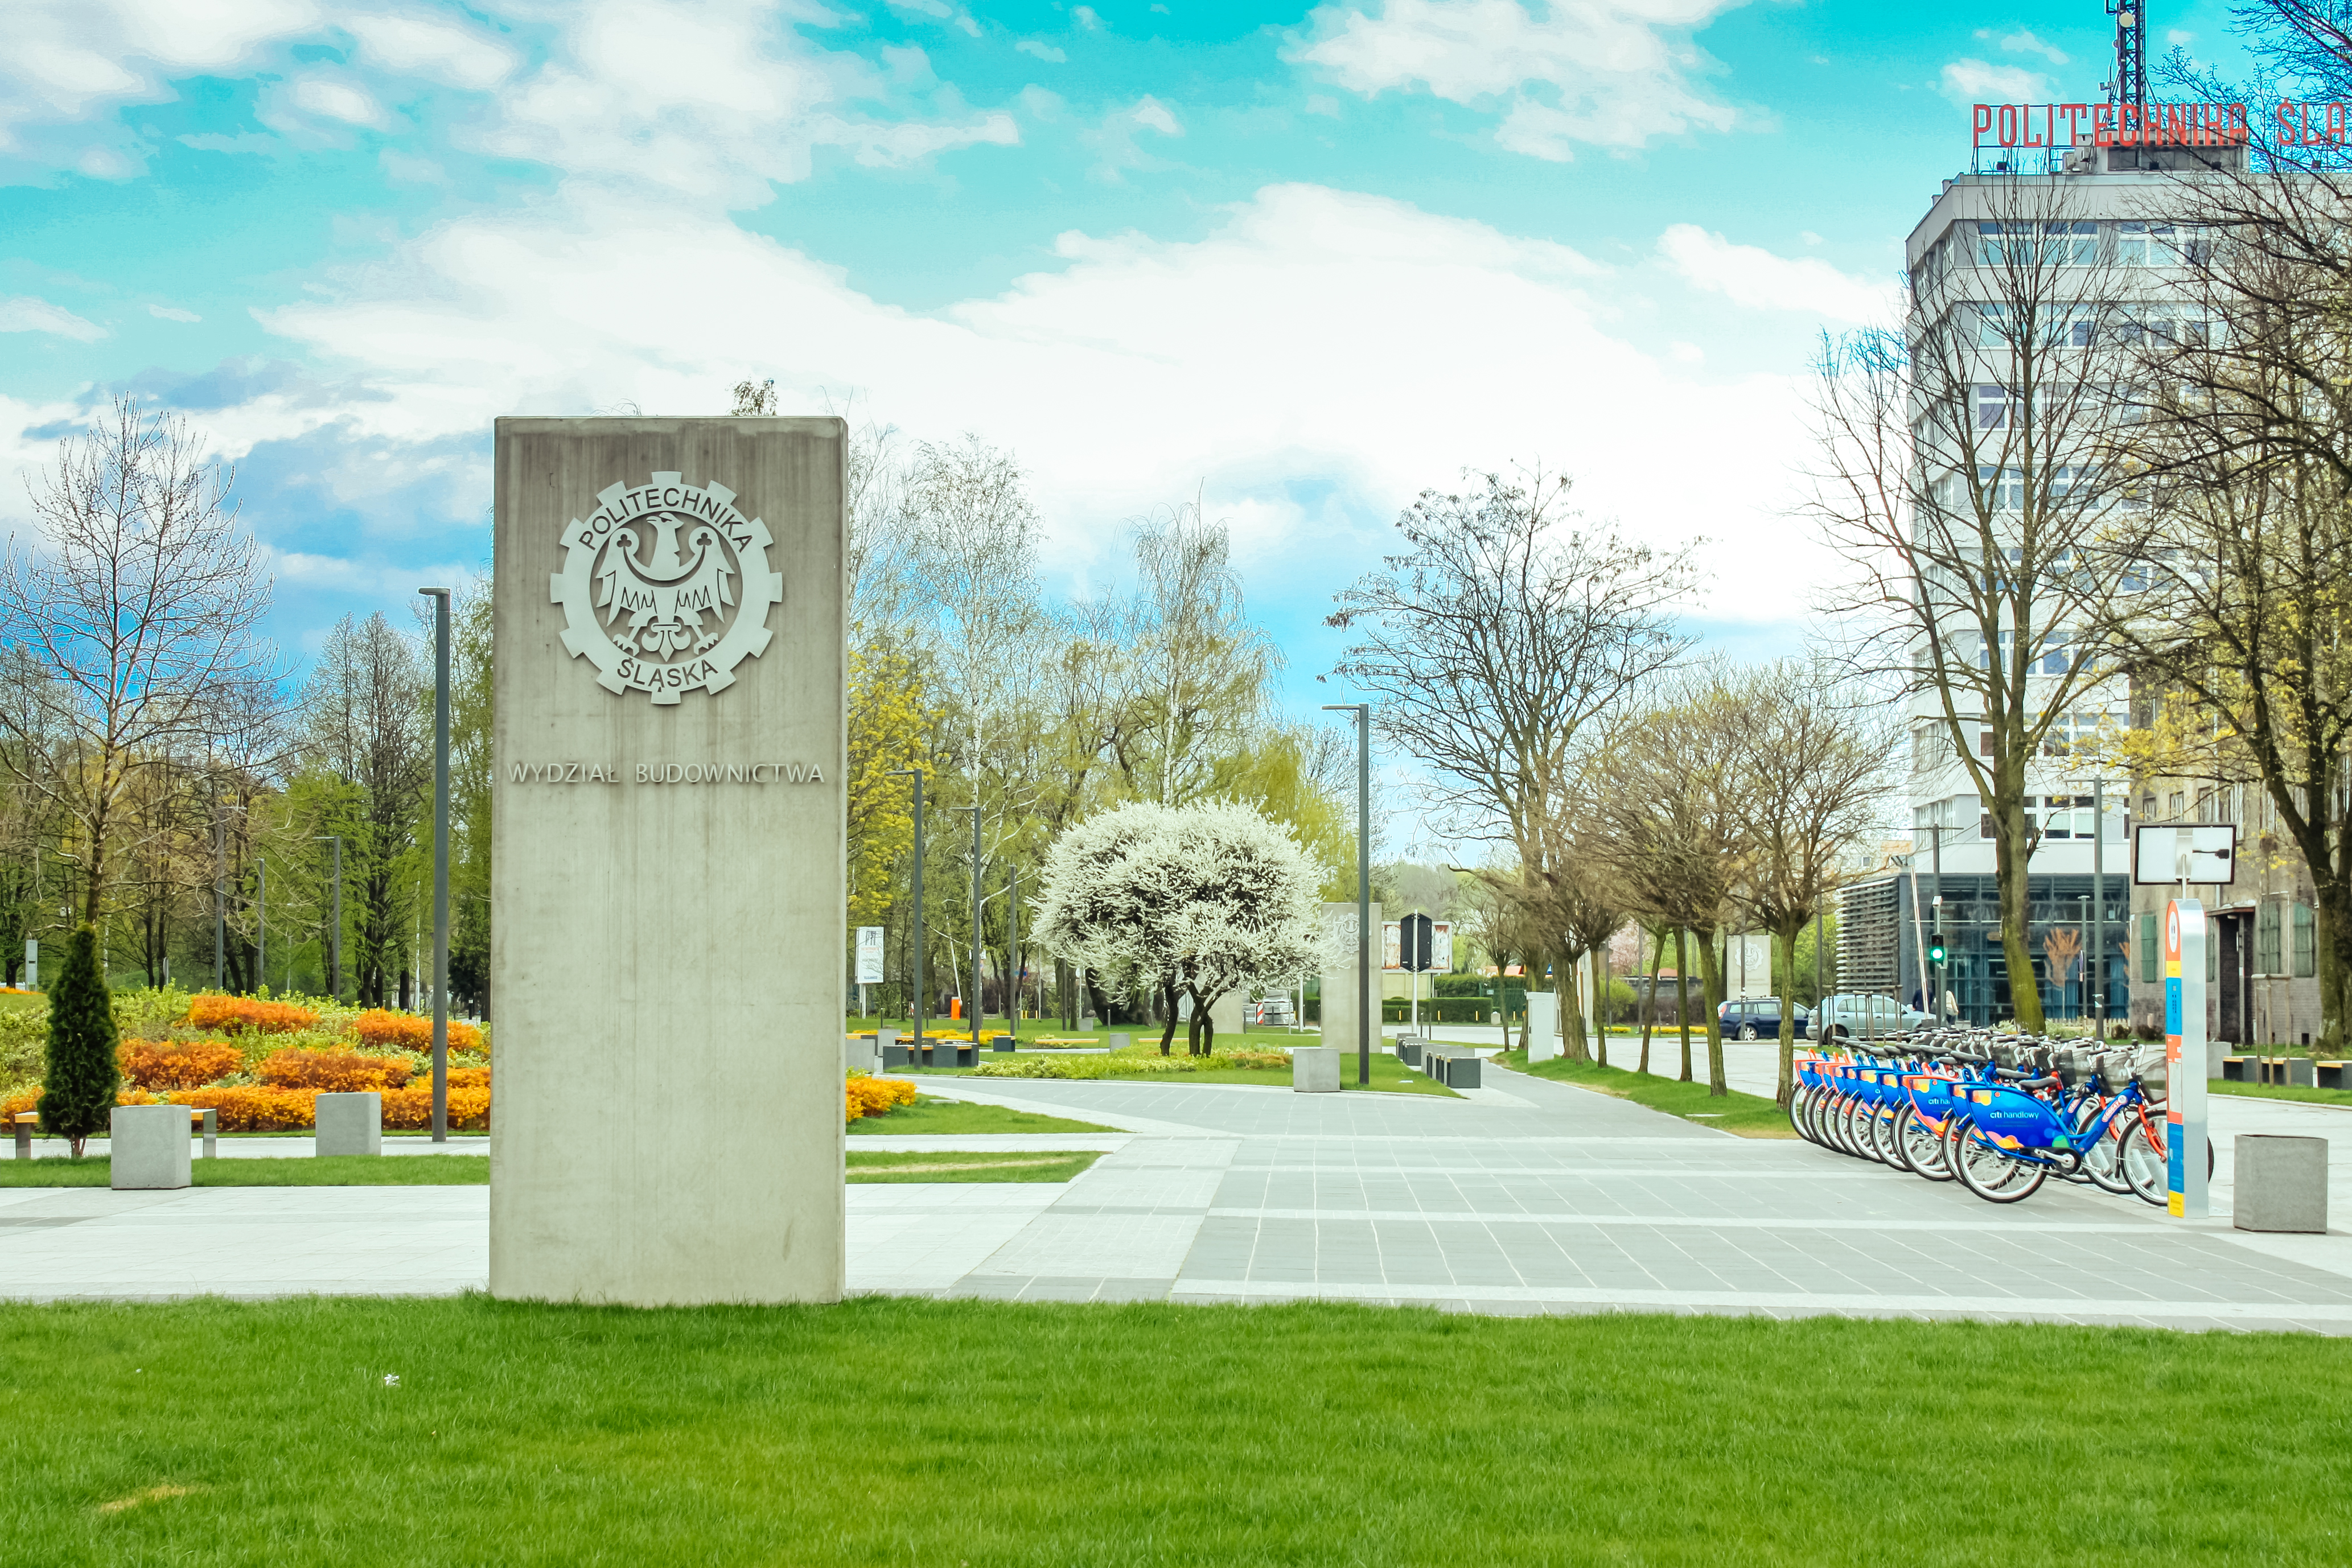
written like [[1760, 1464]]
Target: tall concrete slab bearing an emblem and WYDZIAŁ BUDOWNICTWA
[[667, 840]]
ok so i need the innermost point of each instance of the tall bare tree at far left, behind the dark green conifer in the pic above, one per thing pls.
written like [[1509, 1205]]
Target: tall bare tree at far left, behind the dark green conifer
[[140, 605]]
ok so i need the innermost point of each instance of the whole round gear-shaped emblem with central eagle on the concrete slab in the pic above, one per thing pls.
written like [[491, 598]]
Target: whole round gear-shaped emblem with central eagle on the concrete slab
[[667, 589]]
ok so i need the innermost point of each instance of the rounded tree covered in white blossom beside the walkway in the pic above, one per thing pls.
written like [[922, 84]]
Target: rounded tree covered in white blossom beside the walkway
[[1191, 902]]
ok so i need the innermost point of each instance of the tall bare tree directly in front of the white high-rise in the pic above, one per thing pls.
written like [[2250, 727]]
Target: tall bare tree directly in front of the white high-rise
[[1965, 471]]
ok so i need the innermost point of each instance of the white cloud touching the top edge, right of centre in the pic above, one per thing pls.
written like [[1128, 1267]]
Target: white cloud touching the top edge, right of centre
[[1589, 72]]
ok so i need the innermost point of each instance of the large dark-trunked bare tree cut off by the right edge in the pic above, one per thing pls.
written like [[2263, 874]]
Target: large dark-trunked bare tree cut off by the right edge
[[2243, 445]]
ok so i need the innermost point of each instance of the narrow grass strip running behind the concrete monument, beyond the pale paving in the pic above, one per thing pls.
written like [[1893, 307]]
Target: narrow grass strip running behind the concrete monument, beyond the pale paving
[[474, 1170]]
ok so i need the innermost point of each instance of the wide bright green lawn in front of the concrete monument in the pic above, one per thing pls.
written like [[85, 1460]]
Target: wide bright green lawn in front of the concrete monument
[[1078, 1438]]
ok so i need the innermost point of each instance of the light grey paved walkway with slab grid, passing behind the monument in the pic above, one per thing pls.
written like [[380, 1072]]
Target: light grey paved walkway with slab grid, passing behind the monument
[[1542, 1200]]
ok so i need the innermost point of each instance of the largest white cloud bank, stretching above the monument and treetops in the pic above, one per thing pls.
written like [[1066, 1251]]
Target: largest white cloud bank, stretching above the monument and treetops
[[1125, 375]]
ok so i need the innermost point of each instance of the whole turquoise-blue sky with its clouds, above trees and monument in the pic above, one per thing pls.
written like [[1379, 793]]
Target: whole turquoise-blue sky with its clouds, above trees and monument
[[1309, 260]]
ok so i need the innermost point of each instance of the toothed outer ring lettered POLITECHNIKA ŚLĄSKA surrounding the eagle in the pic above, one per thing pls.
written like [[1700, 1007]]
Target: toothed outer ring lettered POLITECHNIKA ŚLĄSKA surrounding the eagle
[[756, 596]]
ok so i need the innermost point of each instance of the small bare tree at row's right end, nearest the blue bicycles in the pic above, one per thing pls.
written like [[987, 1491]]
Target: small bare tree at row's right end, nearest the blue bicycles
[[1815, 758]]
